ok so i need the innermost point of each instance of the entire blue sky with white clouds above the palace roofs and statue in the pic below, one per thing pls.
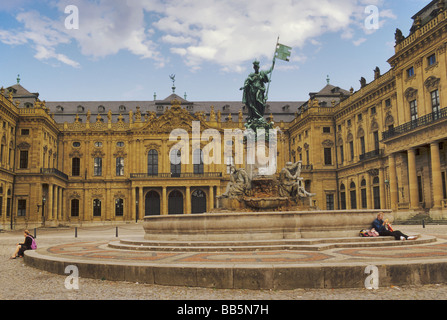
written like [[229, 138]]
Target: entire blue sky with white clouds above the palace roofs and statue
[[126, 50]]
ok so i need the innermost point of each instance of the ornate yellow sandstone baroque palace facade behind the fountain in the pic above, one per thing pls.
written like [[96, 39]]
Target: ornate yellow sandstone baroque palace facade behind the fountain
[[381, 147]]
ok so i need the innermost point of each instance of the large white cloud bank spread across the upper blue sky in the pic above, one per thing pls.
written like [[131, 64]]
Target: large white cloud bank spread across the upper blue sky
[[228, 33]]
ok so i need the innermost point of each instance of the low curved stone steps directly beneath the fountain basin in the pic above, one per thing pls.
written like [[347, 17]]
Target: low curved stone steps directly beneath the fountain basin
[[263, 245]]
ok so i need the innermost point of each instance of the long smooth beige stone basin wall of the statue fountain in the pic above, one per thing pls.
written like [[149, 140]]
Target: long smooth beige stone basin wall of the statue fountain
[[260, 225]]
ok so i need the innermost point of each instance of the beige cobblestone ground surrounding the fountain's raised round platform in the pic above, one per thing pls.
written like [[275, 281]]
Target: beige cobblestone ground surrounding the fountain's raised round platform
[[16, 277]]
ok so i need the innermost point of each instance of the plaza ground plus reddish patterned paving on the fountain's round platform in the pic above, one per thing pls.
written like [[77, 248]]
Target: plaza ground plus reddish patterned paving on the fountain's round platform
[[91, 242]]
